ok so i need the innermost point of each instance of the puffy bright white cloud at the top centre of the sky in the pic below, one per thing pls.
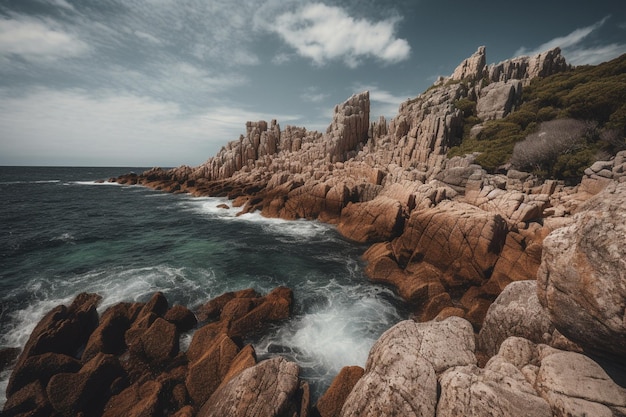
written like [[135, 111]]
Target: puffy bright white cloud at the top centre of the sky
[[325, 33]]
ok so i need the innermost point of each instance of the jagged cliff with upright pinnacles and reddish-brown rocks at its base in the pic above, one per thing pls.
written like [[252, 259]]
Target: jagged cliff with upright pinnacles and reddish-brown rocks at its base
[[446, 234]]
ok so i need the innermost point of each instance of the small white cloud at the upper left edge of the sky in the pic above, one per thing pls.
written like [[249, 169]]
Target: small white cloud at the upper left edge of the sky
[[38, 40]]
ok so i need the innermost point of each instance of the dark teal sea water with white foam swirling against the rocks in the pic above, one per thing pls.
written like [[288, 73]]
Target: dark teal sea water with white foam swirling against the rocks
[[61, 233]]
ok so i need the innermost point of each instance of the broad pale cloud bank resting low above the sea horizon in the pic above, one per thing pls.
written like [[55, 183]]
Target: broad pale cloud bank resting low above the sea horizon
[[102, 128]]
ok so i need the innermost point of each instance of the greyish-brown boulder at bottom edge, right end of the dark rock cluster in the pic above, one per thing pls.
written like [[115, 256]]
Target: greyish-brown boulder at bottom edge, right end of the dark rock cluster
[[265, 390]]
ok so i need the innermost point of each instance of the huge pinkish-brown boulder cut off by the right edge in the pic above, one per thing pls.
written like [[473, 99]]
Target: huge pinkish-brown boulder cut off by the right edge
[[582, 277]]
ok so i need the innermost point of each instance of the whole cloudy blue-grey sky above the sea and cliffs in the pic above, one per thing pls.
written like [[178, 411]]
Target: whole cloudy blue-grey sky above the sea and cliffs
[[168, 82]]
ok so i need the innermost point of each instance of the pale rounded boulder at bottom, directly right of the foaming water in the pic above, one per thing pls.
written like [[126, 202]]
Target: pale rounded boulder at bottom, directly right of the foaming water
[[400, 373]]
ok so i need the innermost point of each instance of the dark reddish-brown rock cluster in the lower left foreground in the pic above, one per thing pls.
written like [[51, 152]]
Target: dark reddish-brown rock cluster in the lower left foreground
[[127, 362]]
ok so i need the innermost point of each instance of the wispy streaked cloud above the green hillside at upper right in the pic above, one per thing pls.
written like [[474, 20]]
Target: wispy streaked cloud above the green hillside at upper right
[[573, 47]]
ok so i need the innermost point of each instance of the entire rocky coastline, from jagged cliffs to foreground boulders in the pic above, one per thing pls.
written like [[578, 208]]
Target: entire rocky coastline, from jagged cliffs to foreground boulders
[[516, 285]]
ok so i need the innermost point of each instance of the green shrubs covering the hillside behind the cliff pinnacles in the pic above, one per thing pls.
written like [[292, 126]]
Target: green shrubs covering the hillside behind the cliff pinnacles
[[589, 95]]
